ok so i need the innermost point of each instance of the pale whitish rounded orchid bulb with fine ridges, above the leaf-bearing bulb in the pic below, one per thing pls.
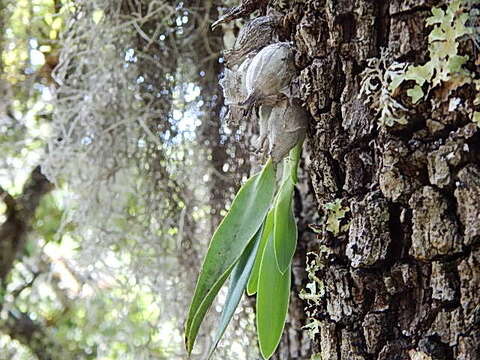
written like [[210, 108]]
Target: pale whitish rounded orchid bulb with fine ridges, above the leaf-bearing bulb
[[270, 71]]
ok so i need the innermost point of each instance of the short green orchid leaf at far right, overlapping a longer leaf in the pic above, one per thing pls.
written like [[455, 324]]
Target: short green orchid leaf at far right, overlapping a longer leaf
[[284, 226]]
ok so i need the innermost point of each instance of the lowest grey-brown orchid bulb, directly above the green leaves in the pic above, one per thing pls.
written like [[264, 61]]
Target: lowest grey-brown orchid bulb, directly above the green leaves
[[287, 126]]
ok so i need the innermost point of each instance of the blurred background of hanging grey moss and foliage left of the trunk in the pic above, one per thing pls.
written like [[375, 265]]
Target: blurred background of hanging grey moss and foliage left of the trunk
[[115, 169]]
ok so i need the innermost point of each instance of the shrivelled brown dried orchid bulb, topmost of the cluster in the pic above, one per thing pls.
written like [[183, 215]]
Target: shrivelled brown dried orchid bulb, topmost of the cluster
[[255, 35]]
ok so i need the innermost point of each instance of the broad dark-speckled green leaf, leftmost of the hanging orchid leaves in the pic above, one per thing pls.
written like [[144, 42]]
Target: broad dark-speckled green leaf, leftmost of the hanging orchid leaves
[[246, 215]]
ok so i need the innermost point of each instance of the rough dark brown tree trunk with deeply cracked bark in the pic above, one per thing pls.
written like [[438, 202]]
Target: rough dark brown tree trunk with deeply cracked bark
[[402, 281]]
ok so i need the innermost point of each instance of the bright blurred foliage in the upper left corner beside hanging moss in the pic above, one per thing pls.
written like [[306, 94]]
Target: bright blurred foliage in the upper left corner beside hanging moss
[[25, 48]]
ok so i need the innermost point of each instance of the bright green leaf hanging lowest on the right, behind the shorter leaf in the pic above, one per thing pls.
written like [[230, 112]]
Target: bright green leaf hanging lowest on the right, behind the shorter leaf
[[272, 302]]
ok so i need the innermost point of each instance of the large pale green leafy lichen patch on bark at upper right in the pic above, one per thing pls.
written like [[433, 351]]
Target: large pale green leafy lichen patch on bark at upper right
[[381, 79]]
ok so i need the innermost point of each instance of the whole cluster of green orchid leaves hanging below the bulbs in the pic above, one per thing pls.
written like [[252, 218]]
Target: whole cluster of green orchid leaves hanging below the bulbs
[[264, 233]]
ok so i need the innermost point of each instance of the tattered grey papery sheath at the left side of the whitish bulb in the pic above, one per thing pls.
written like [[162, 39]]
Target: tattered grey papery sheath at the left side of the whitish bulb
[[233, 84]]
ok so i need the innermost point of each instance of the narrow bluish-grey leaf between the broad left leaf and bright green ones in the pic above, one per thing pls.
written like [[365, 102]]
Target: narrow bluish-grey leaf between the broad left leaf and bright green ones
[[238, 281]]
